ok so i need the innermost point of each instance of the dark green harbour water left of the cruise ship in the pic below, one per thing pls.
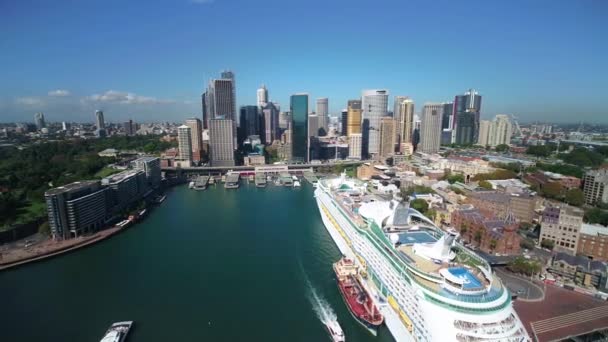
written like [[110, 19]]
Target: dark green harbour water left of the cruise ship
[[214, 265]]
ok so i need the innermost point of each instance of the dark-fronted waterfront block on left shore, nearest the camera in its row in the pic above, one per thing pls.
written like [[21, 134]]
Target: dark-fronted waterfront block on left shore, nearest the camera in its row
[[76, 209]]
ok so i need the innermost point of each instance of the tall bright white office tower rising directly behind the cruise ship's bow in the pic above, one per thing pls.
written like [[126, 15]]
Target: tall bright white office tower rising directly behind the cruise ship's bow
[[374, 105]]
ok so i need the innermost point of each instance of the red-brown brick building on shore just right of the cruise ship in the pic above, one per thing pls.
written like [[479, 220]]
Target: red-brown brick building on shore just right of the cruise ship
[[490, 234]]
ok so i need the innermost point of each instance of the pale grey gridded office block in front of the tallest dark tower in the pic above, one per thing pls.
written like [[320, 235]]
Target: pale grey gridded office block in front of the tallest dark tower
[[221, 142]]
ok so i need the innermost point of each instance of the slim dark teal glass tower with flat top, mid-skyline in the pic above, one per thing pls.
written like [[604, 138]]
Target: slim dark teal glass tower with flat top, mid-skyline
[[298, 106]]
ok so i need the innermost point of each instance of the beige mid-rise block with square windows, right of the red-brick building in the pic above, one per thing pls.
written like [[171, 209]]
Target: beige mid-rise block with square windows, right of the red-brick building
[[561, 225]]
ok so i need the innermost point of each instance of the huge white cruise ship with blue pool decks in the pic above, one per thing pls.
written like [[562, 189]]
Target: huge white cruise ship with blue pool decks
[[427, 285]]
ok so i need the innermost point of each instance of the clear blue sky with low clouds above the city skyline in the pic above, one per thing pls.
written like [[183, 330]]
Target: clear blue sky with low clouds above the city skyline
[[149, 60]]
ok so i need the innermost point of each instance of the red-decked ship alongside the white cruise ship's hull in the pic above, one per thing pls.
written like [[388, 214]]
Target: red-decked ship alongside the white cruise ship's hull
[[356, 297]]
